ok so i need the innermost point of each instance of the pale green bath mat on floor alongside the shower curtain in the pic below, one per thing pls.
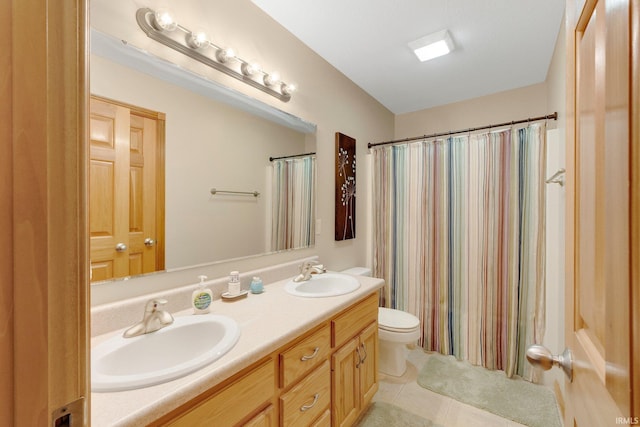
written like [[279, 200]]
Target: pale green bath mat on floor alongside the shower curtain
[[516, 399]]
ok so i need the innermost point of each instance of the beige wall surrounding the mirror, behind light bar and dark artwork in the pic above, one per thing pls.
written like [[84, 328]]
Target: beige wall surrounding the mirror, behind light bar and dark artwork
[[325, 97]]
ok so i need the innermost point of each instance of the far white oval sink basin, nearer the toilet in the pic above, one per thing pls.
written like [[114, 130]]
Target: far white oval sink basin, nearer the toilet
[[323, 285]]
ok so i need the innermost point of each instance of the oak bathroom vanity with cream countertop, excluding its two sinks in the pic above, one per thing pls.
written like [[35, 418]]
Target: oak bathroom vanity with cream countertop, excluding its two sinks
[[299, 361]]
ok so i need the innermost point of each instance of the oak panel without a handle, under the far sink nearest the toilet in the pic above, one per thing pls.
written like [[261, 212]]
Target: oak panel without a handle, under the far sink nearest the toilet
[[354, 320]]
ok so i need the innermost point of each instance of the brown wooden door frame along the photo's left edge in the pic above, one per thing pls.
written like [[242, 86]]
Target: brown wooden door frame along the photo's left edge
[[45, 276]]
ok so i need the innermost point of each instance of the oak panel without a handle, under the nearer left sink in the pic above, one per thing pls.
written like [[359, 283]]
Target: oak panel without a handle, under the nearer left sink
[[232, 403]]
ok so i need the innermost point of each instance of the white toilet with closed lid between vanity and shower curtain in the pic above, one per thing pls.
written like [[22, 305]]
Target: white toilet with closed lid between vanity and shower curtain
[[396, 329]]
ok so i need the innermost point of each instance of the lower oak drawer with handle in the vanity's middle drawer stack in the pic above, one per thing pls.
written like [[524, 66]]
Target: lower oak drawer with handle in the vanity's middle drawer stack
[[305, 402]]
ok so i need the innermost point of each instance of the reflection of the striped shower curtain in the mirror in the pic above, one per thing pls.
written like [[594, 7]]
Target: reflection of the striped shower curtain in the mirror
[[293, 207]]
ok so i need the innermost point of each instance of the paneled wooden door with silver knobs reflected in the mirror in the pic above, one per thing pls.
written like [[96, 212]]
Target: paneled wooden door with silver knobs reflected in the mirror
[[126, 213]]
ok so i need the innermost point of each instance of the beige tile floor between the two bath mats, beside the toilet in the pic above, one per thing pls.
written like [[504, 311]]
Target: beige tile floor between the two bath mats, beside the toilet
[[407, 394]]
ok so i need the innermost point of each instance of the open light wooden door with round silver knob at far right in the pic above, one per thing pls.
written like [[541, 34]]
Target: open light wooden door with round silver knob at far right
[[600, 294]]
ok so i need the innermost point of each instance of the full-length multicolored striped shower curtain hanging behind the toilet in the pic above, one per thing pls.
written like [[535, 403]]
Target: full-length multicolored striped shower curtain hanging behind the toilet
[[459, 239]]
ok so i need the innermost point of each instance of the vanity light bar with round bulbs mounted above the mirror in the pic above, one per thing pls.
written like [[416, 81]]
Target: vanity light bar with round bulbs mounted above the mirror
[[161, 27]]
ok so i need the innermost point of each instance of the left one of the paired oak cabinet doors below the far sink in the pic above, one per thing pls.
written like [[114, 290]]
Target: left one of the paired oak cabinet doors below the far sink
[[345, 384]]
